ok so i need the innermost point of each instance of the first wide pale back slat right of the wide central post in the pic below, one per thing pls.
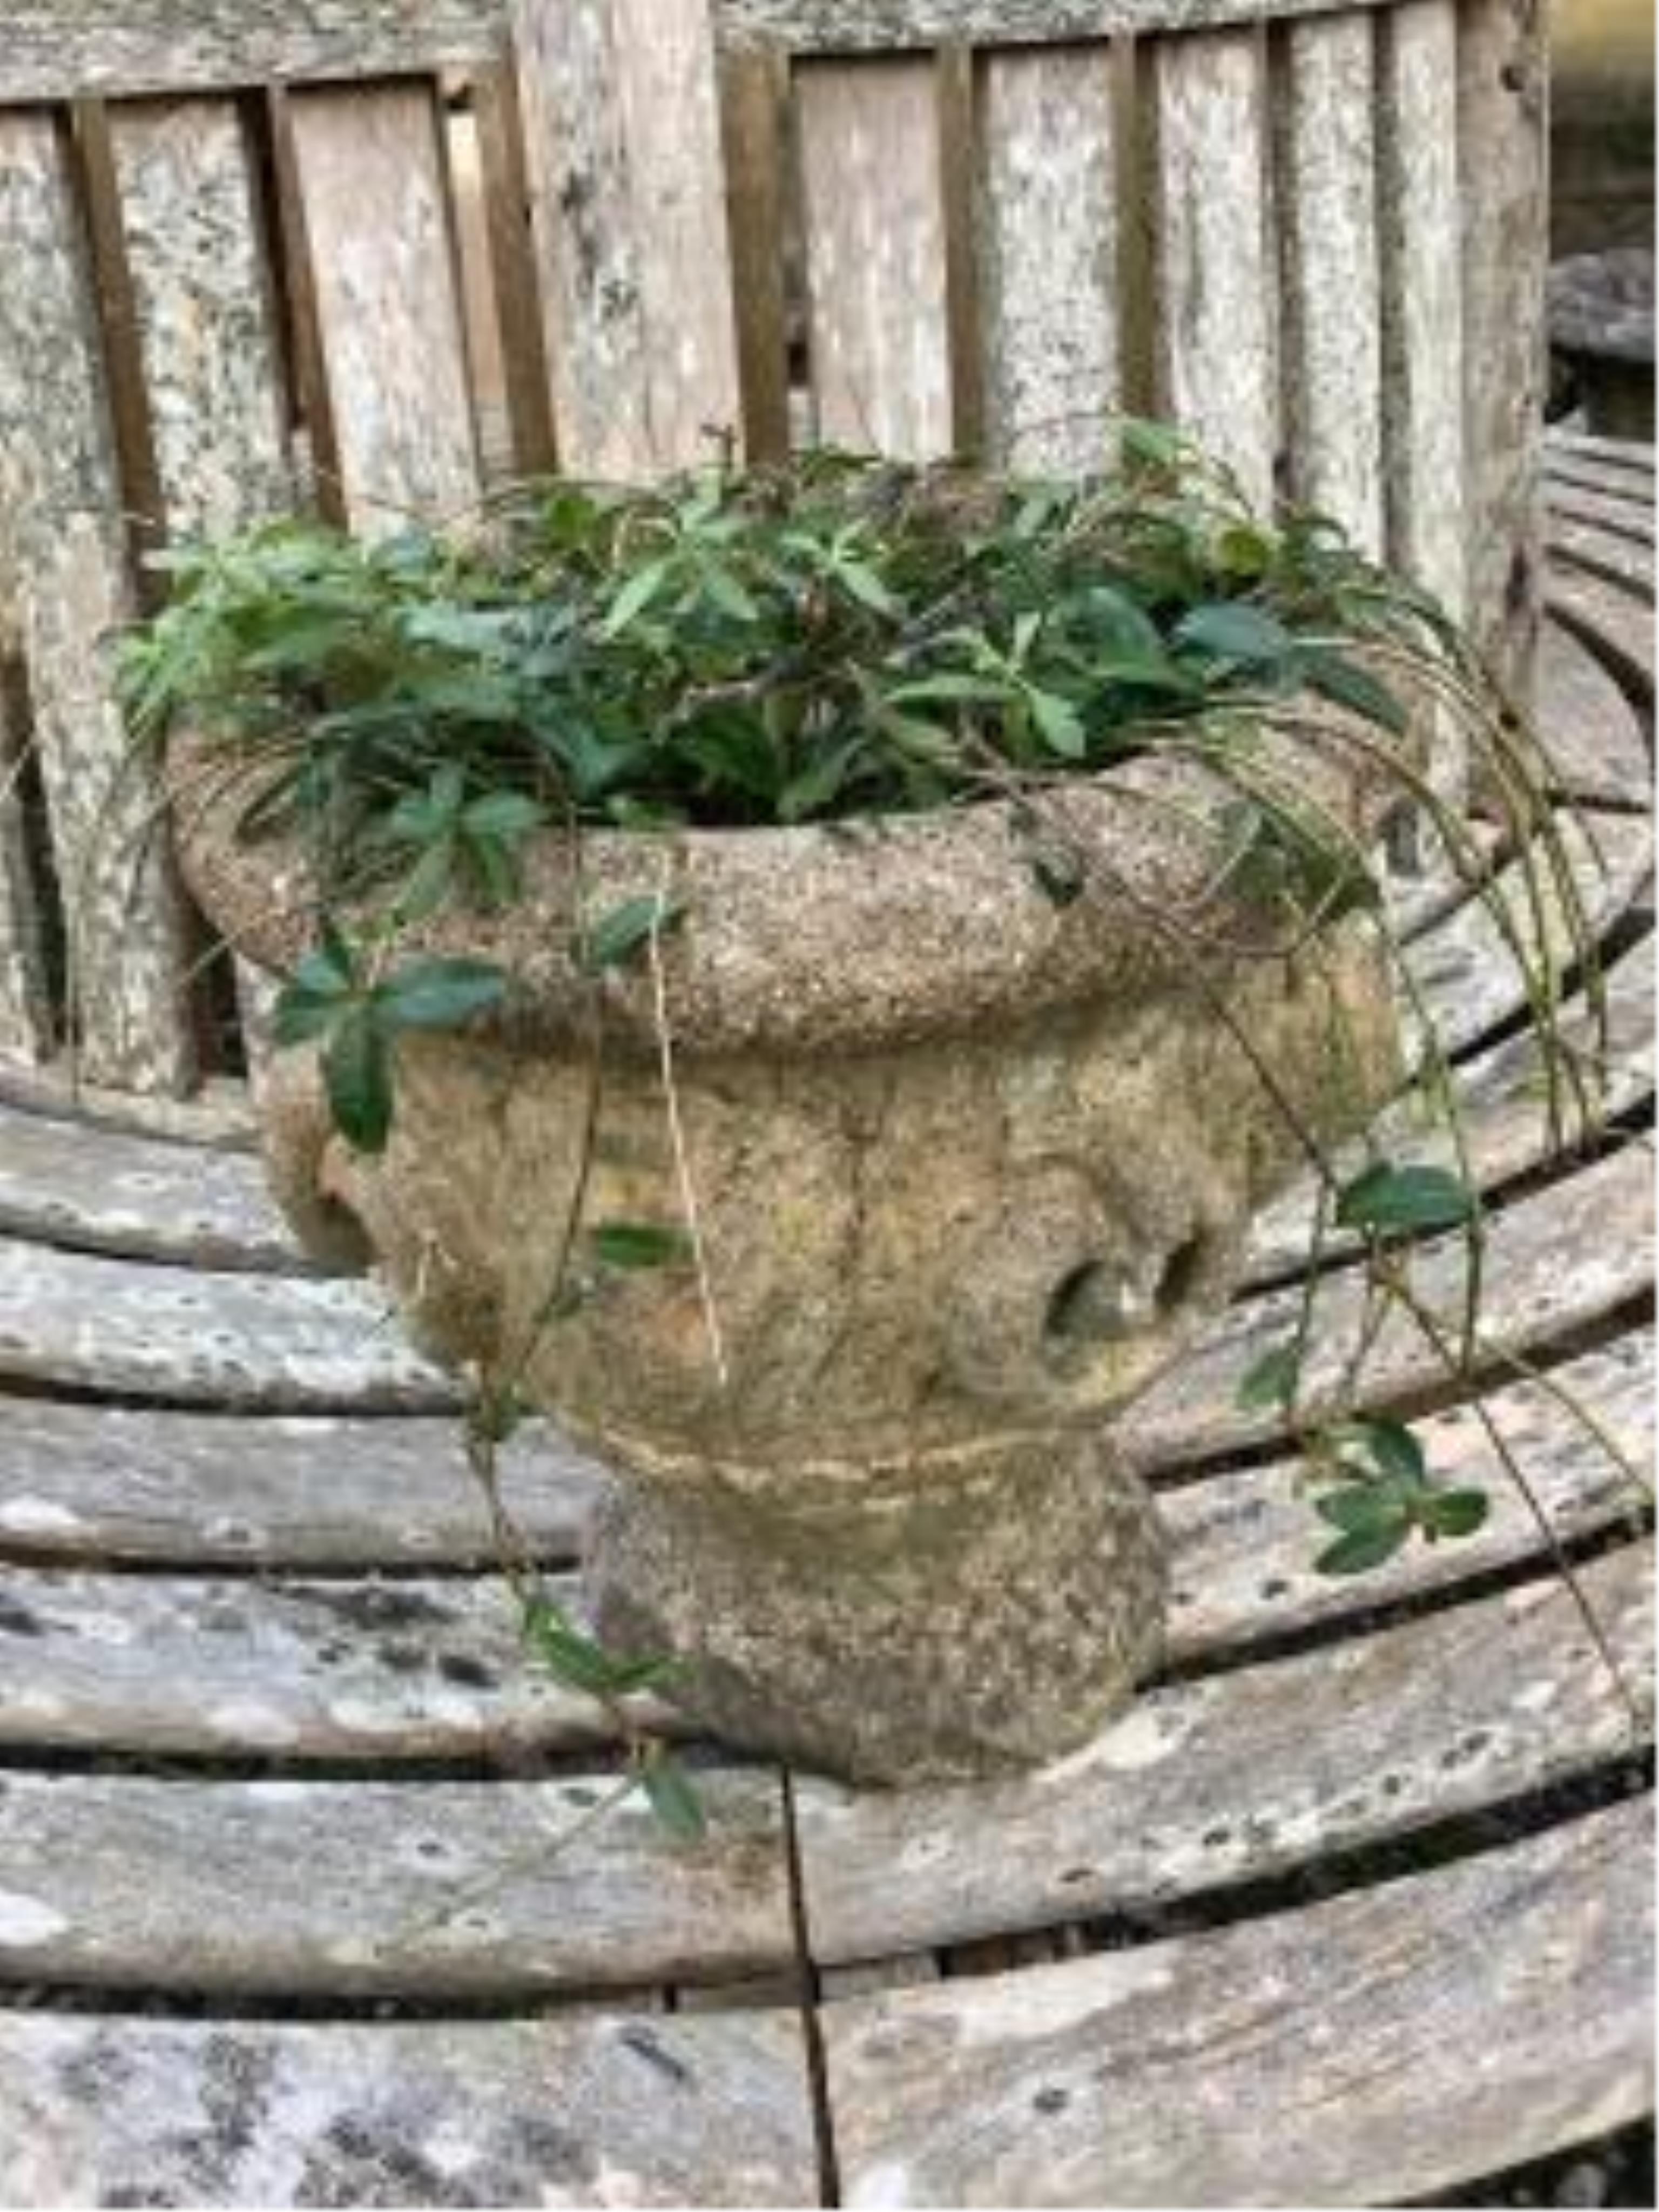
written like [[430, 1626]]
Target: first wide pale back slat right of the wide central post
[[875, 244]]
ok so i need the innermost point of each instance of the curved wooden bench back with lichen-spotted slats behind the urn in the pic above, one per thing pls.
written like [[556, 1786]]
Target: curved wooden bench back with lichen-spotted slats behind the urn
[[231, 284]]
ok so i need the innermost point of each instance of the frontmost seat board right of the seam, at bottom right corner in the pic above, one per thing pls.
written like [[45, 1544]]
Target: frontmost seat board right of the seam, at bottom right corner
[[1311, 2056]]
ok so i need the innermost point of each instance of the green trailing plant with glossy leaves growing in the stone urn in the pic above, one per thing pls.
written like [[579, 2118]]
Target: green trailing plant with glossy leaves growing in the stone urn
[[855, 647]]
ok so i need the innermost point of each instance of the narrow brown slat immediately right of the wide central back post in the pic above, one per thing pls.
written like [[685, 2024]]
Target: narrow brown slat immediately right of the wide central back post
[[755, 90]]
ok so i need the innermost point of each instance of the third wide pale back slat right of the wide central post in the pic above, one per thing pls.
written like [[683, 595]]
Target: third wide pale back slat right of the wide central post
[[1213, 260]]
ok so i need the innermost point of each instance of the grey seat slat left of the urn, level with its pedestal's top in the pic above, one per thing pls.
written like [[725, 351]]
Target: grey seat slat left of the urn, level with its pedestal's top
[[129, 1485]]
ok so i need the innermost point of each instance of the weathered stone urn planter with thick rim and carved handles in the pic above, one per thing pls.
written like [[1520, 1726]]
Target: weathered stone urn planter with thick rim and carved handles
[[970, 1169]]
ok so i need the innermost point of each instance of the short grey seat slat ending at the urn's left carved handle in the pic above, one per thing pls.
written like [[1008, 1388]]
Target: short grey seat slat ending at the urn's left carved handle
[[140, 1198]]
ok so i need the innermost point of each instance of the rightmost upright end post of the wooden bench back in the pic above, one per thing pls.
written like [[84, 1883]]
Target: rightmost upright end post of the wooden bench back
[[1503, 101]]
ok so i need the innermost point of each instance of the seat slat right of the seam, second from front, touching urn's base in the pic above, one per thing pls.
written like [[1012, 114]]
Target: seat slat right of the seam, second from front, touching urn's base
[[1240, 1777]]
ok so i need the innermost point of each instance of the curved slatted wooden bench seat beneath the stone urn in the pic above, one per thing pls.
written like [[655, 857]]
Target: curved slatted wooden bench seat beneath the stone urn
[[1346, 1910]]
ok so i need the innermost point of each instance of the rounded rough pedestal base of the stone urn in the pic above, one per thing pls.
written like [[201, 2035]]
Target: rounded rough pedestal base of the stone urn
[[963, 1616]]
